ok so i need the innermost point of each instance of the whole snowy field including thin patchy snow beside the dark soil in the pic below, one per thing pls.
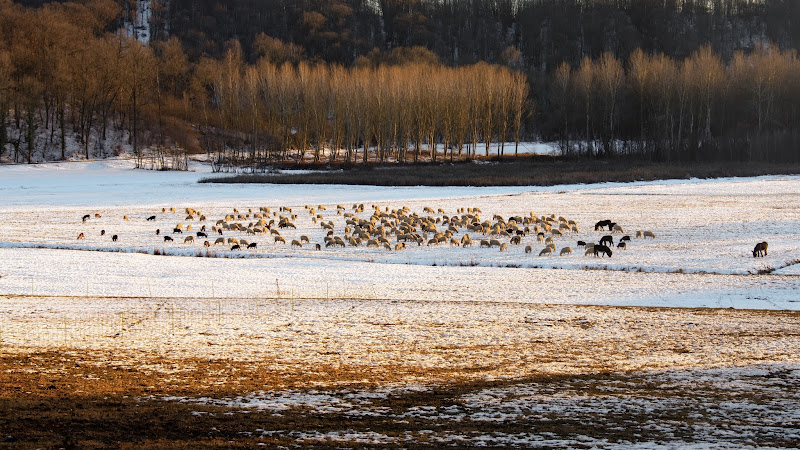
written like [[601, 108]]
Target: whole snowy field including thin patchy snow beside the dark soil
[[424, 314]]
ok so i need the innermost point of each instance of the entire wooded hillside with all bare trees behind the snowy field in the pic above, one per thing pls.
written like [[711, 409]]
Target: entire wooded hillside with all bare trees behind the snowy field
[[353, 81]]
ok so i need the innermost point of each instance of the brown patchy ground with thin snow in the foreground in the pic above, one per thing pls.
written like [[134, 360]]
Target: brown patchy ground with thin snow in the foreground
[[557, 376]]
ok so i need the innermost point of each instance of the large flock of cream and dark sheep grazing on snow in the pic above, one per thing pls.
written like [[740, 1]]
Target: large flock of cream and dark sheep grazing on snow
[[390, 229]]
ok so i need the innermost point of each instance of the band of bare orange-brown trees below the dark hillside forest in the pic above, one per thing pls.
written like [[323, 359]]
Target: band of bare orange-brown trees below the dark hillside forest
[[256, 111]]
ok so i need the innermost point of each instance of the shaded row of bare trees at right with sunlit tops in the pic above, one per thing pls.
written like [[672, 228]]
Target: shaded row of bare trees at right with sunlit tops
[[667, 109]]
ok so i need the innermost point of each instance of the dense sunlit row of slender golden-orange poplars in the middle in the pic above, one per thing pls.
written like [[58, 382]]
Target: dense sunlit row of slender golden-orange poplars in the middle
[[319, 112]]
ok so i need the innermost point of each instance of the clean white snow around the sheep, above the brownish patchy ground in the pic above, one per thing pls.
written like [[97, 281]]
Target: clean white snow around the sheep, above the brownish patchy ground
[[705, 231]]
